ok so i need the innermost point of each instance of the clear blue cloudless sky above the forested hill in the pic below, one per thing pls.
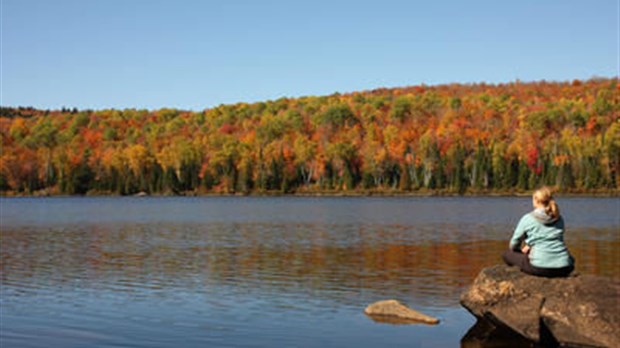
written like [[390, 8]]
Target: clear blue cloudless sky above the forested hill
[[198, 54]]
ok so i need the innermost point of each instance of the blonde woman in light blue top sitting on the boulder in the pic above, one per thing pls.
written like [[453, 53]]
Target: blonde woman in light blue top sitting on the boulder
[[537, 245]]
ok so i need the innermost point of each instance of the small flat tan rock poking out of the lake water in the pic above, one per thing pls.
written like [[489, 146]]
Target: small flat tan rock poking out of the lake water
[[394, 312]]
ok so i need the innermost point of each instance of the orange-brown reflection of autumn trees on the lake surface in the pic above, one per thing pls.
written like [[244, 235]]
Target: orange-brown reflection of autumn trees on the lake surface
[[334, 260]]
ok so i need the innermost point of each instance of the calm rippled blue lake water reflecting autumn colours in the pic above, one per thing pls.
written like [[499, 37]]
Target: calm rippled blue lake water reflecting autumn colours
[[260, 272]]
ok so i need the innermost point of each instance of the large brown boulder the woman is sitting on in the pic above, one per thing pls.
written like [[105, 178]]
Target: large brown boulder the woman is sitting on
[[581, 310]]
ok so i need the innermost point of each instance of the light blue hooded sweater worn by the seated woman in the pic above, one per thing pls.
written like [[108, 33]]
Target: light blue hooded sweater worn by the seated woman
[[545, 237]]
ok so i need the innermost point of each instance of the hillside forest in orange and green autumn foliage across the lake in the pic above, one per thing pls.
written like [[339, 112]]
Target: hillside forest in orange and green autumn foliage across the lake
[[456, 138]]
